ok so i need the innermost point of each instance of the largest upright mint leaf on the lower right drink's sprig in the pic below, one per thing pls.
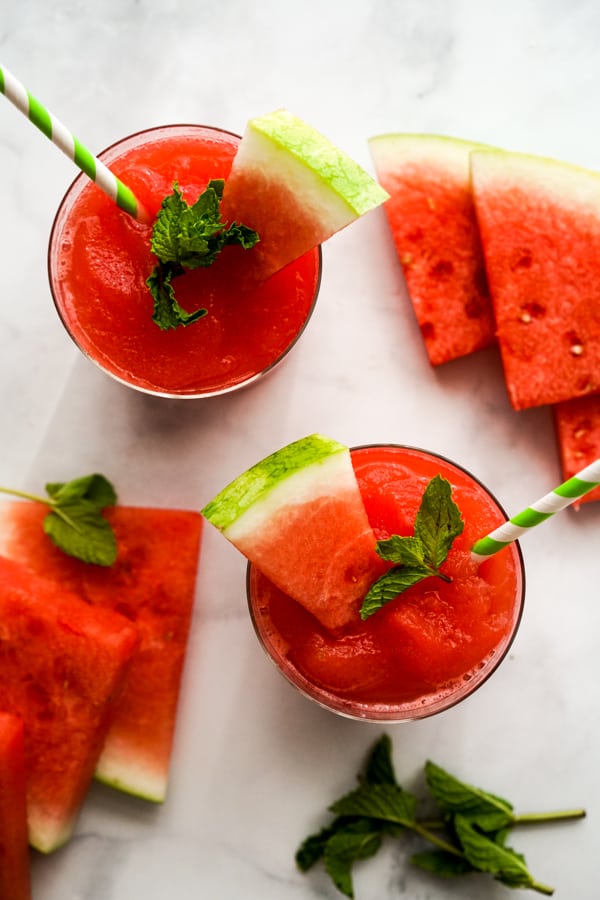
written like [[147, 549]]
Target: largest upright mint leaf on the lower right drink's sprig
[[438, 521]]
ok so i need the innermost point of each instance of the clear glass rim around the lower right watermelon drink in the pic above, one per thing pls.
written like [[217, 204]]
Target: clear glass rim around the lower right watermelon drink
[[435, 702]]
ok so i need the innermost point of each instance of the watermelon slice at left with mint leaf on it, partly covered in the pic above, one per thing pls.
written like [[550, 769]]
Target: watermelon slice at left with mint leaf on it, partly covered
[[152, 583]]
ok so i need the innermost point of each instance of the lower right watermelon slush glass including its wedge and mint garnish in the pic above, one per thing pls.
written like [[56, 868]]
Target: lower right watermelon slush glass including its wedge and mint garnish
[[400, 635]]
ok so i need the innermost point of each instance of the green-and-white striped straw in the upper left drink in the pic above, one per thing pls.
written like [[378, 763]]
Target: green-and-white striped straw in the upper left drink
[[49, 125]]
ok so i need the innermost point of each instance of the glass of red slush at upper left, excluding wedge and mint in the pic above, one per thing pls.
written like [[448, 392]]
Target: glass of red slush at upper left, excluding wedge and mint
[[99, 259]]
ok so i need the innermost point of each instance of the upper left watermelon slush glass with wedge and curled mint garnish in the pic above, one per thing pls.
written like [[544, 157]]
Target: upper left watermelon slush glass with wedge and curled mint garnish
[[216, 289]]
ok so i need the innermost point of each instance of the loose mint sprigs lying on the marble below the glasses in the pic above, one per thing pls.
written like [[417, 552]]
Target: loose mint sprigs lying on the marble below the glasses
[[469, 835]]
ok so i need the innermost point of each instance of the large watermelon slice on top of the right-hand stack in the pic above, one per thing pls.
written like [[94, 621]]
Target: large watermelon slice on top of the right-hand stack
[[540, 229]]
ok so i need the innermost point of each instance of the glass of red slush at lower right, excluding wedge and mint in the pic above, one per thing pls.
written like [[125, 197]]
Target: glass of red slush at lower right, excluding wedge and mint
[[433, 645]]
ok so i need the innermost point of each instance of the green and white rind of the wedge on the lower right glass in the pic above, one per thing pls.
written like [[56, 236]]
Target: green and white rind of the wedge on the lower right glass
[[254, 494]]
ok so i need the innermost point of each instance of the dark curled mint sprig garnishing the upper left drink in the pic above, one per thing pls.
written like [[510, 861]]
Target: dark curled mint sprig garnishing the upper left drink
[[187, 237]]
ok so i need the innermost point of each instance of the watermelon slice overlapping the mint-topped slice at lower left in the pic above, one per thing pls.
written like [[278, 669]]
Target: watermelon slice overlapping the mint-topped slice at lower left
[[62, 664]]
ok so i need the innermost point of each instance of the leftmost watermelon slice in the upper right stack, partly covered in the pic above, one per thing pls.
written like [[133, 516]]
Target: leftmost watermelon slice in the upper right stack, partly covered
[[432, 219]]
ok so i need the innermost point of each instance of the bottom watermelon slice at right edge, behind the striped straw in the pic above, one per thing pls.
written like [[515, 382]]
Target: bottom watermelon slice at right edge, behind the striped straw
[[577, 424]]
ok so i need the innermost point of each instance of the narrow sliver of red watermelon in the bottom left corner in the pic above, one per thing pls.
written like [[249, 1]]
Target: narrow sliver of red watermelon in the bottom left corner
[[15, 881]]
